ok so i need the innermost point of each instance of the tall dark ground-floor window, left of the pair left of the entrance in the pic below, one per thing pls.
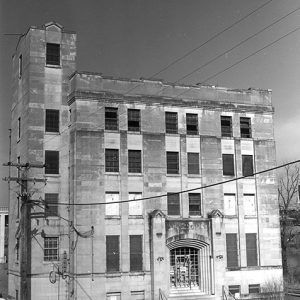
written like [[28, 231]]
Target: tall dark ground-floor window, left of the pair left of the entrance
[[112, 253]]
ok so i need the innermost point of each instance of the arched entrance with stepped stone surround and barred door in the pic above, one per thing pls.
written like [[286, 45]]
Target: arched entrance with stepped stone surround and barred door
[[190, 265]]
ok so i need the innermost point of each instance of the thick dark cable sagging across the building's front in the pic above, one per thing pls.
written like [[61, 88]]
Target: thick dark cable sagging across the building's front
[[183, 191]]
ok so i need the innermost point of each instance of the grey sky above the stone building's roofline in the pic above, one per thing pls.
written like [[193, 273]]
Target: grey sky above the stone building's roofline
[[138, 38]]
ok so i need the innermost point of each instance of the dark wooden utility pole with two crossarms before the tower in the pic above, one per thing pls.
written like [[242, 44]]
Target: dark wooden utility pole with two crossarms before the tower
[[25, 223]]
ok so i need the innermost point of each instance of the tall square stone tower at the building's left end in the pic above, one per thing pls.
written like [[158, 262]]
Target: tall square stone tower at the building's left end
[[43, 61]]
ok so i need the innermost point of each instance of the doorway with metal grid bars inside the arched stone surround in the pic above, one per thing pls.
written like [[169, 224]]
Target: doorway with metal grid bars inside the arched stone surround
[[184, 267]]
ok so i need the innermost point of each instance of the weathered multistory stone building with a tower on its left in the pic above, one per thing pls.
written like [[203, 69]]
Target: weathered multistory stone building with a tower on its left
[[108, 142]]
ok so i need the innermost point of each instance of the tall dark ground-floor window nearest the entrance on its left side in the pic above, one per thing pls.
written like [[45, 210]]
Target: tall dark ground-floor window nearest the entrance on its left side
[[136, 252]]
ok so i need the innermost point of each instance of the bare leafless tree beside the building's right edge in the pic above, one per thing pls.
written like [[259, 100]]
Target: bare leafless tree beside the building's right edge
[[288, 183]]
